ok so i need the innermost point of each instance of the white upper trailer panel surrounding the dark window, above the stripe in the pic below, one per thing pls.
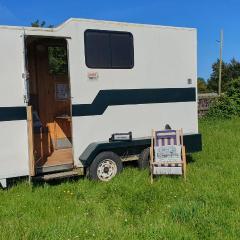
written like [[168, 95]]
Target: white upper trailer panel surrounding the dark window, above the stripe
[[164, 58]]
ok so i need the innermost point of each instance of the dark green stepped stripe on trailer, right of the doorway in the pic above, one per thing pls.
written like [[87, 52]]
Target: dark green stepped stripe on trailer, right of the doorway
[[107, 98]]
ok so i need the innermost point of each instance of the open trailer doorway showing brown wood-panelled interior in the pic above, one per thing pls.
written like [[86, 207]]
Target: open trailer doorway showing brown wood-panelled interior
[[50, 101]]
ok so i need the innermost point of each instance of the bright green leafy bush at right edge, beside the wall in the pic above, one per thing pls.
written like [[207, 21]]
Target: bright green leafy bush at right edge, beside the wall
[[227, 105]]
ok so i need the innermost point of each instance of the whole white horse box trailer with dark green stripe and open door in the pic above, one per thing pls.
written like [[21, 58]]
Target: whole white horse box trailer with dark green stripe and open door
[[66, 90]]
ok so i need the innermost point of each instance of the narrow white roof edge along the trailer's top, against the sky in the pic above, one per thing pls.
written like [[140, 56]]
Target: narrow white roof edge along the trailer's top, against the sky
[[91, 21]]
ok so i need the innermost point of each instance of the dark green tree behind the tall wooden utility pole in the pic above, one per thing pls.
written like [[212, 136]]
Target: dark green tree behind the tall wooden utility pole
[[230, 71]]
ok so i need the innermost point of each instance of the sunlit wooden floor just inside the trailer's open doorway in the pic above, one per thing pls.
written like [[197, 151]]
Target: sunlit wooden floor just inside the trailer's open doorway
[[58, 157]]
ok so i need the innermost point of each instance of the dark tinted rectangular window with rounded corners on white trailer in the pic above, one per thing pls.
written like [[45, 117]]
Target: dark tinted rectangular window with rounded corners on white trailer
[[109, 49]]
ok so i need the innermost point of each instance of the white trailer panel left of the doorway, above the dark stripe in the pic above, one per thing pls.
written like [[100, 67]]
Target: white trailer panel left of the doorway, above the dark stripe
[[11, 68]]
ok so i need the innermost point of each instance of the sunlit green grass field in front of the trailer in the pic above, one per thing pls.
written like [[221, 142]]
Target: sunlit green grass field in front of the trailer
[[206, 206]]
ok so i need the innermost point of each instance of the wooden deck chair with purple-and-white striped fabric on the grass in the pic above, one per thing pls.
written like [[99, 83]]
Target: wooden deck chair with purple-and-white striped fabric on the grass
[[167, 153]]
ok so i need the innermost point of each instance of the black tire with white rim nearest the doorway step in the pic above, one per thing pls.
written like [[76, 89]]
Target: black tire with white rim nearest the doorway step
[[105, 166]]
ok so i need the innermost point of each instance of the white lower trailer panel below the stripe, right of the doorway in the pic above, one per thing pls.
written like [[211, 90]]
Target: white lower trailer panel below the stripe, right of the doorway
[[140, 119]]
